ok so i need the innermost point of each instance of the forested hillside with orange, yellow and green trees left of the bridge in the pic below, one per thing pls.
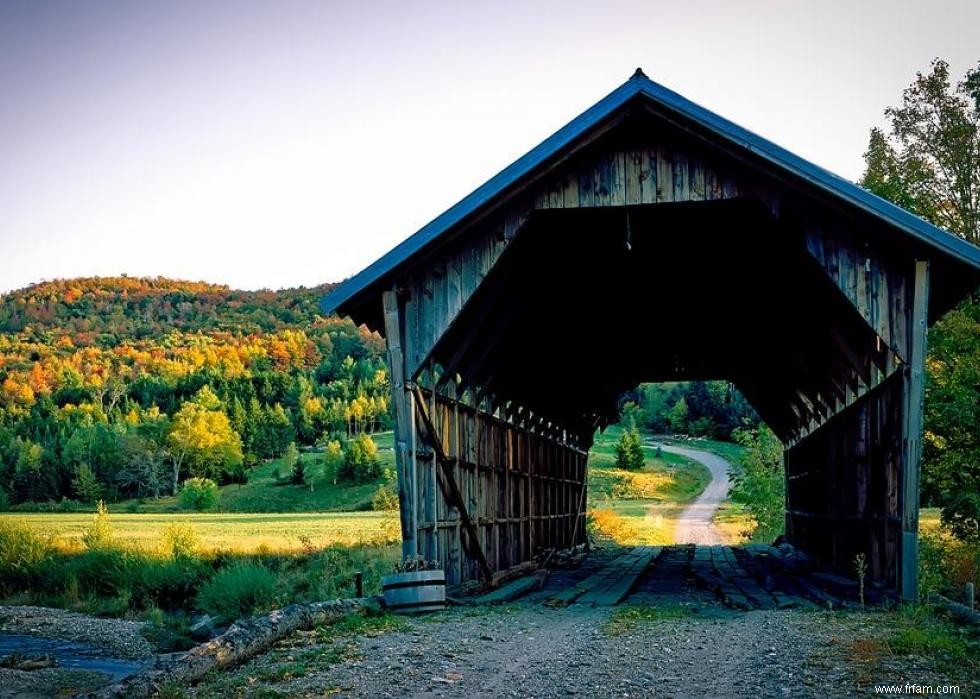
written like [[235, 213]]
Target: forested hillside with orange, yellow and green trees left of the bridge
[[125, 387]]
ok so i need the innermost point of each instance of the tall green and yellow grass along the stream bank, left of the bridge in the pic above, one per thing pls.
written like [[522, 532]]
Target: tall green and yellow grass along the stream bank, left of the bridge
[[179, 575]]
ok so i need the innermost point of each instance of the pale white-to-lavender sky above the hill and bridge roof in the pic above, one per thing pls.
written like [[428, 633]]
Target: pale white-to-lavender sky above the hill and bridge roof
[[277, 144]]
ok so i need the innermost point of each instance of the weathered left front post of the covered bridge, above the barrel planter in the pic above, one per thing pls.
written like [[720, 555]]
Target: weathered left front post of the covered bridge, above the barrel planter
[[404, 424]]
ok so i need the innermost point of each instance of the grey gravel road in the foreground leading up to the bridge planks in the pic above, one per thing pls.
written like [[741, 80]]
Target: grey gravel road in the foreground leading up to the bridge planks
[[526, 650]]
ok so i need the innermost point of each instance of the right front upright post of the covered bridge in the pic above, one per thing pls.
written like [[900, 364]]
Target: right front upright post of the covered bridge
[[912, 396]]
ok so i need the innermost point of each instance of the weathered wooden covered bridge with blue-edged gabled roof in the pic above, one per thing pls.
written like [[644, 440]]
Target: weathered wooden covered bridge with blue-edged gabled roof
[[516, 319]]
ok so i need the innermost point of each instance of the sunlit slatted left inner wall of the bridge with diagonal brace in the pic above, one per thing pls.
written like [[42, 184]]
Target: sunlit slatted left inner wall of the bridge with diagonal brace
[[524, 491]]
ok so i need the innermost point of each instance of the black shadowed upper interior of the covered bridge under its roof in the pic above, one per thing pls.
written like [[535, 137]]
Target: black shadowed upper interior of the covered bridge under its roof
[[586, 303]]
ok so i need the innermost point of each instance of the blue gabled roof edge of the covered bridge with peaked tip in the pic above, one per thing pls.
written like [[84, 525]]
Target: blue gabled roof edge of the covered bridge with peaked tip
[[639, 86]]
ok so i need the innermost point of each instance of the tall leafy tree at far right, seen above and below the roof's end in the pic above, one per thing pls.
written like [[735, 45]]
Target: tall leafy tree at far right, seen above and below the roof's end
[[929, 163]]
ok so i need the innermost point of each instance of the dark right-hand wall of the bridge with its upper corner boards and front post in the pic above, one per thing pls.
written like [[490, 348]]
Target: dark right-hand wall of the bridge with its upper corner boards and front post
[[853, 481]]
